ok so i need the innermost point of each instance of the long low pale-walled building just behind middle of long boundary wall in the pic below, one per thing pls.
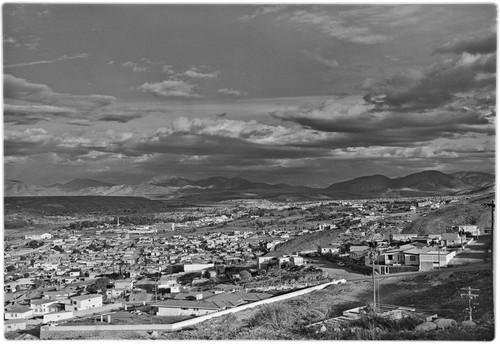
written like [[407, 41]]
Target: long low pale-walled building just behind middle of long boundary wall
[[185, 308]]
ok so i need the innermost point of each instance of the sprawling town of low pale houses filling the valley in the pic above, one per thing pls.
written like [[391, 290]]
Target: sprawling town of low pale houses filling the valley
[[193, 262]]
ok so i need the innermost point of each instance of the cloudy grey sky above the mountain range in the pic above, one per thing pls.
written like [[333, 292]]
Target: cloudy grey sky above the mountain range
[[298, 94]]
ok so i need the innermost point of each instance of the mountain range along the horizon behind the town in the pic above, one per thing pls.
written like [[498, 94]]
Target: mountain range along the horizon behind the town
[[426, 183]]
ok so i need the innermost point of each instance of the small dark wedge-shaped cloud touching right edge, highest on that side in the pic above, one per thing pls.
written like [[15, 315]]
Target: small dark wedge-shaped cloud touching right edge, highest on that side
[[475, 45]]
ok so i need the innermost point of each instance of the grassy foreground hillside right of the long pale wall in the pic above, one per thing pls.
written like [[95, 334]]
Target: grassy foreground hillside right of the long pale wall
[[286, 320]]
